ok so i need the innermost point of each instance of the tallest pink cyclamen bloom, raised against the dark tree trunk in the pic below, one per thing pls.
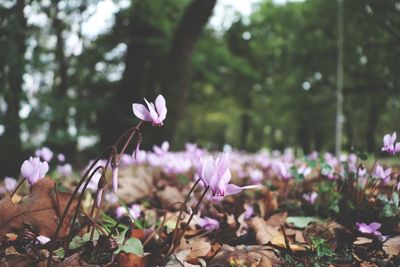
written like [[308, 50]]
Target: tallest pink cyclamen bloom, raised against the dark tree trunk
[[153, 113]]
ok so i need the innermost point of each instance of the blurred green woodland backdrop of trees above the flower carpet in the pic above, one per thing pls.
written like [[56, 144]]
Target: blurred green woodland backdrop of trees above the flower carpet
[[249, 73]]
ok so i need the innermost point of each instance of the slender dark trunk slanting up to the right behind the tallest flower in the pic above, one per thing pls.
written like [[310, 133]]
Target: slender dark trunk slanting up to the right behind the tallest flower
[[177, 71]]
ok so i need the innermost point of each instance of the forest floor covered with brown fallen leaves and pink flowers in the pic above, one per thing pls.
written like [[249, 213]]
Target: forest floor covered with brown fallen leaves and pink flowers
[[310, 211]]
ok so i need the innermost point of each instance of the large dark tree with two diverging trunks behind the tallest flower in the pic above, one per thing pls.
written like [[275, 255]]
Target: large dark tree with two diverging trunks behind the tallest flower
[[157, 61]]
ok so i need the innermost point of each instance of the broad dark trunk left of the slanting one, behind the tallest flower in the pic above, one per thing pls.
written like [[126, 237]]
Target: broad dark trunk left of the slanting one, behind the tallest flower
[[139, 78]]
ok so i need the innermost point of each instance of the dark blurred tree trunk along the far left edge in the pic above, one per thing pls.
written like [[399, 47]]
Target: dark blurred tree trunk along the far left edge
[[12, 67]]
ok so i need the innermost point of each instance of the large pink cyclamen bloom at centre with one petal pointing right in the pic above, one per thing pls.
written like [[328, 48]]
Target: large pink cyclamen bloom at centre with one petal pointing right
[[216, 175]]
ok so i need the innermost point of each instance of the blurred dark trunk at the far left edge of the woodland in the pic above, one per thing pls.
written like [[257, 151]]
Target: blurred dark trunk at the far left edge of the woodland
[[11, 155]]
